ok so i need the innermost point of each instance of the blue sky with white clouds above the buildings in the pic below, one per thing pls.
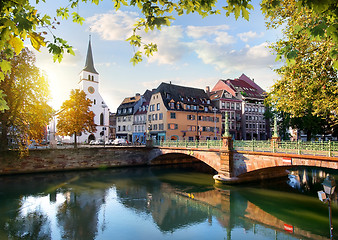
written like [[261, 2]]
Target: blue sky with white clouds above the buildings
[[193, 51]]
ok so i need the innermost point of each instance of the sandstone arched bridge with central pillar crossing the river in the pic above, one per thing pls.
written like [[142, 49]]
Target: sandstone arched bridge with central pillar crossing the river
[[242, 166]]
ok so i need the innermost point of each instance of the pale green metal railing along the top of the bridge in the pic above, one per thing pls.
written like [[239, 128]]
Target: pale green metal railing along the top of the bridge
[[320, 148]]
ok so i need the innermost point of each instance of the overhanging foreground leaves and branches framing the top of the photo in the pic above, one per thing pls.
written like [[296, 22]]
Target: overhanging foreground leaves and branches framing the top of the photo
[[20, 20]]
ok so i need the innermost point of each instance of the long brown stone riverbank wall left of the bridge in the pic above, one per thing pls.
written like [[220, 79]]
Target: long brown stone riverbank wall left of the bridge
[[51, 160]]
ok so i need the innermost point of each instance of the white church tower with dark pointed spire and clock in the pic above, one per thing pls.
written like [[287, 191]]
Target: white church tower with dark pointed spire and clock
[[89, 83]]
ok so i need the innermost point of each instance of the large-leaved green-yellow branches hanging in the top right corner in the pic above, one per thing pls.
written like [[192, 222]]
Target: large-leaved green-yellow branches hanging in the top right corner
[[308, 20]]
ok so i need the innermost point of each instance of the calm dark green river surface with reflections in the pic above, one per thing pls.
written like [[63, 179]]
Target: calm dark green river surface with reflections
[[161, 203]]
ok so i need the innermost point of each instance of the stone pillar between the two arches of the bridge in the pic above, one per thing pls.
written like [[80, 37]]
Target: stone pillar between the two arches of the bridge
[[226, 159]]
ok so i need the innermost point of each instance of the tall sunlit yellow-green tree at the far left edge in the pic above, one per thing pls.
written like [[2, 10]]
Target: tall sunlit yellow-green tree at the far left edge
[[26, 92]]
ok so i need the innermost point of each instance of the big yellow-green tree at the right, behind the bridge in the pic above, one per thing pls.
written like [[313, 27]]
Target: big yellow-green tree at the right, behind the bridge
[[309, 84]]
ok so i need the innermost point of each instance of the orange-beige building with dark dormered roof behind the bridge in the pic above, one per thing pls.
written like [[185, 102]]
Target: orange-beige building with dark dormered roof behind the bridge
[[181, 113]]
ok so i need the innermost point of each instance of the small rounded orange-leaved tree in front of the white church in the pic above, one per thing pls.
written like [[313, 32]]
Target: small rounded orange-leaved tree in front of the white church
[[75, 116]]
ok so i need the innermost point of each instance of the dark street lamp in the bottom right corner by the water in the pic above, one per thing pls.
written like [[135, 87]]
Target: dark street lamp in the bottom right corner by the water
[[329, 186]]
